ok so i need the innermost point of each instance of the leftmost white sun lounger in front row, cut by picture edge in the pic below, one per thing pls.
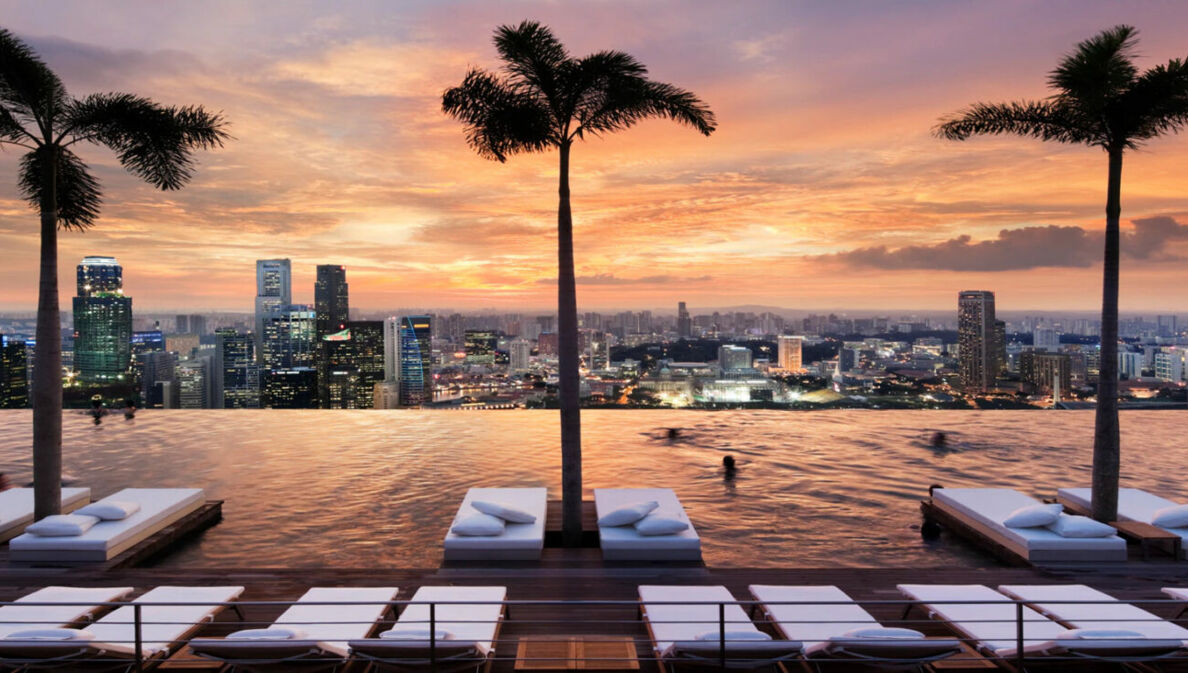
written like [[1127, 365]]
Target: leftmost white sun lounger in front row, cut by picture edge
[[74, 606]]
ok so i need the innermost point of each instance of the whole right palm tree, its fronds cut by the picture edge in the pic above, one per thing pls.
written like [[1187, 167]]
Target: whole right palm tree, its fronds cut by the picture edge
[[1101, 100]]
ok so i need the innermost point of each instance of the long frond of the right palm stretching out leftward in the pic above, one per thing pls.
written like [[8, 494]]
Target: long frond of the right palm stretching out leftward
[[1047, 121]]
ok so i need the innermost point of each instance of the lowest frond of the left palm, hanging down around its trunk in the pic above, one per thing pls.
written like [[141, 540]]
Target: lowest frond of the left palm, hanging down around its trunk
[[78, 191]]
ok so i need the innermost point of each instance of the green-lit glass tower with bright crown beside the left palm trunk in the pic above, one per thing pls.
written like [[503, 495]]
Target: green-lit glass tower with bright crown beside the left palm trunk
[[103, 319]]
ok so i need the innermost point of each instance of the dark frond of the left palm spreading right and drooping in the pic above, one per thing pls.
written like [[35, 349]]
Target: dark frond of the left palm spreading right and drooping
[[154, 142]]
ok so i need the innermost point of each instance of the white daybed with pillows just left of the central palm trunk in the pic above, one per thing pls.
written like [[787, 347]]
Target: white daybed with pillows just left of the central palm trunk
[[517, 543]]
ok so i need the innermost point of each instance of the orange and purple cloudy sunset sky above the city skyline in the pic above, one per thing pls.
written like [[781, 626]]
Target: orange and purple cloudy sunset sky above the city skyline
[[823, 187]]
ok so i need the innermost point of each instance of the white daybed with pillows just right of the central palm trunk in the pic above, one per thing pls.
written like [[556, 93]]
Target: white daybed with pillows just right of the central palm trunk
[[625, 544]]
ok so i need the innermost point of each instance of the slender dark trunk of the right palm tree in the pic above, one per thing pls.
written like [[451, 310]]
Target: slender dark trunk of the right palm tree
[[1107, 443]]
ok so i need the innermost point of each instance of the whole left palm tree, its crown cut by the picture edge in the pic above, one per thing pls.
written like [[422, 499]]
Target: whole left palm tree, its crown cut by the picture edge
[[153, 142]]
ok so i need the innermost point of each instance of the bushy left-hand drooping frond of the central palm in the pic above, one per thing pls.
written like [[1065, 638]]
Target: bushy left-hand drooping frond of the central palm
[[501, 121]]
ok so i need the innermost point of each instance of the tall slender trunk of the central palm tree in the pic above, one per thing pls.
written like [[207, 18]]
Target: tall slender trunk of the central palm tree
[[568, 381]]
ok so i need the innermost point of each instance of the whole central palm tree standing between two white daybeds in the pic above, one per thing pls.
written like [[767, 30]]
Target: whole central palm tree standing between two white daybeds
[[546, 100]]
